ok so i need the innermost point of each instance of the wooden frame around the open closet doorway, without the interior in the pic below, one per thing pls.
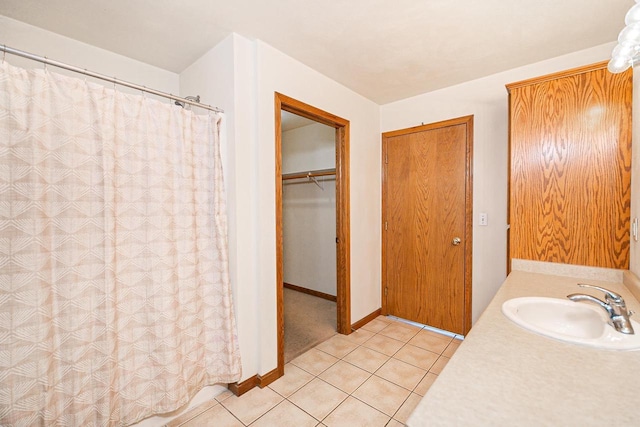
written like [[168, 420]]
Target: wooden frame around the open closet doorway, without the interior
[[343, 244]]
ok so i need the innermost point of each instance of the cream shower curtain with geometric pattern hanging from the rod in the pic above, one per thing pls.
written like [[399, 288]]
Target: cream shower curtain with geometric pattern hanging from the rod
[[114, 293]]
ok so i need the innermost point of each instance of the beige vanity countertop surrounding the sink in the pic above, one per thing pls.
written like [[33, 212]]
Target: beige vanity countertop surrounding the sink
[[504, 375]]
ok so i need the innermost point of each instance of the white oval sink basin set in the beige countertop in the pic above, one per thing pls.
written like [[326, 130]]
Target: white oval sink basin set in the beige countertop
[[569, 321]]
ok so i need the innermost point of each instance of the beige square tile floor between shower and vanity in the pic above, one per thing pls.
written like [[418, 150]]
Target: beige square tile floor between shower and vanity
[[373, 377]]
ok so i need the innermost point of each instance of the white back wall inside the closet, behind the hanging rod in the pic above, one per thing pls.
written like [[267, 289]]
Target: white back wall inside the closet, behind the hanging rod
[[309, 210]]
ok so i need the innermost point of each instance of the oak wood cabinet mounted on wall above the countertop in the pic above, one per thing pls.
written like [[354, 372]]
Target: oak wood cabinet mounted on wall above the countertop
[[570, 168]]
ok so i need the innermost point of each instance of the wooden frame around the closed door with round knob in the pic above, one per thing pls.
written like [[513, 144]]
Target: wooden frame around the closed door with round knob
[[468, 231]]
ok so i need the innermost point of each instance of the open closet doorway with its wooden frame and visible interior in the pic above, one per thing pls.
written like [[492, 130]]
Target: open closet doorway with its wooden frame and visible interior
[[312, 227]]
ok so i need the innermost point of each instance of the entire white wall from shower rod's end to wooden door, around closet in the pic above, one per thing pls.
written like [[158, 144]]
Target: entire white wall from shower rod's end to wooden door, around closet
[[258, 72]]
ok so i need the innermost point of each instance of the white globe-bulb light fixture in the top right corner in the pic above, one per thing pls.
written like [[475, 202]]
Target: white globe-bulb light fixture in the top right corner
[[627, 52]]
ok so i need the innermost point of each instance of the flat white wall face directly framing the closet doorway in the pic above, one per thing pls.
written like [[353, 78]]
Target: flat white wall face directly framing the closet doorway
[[280, 73]]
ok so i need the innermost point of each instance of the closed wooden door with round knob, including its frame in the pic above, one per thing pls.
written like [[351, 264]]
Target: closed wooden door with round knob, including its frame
[[427, 224]]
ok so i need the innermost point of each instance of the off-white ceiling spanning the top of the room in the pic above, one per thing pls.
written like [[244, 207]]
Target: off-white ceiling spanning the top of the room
[[384, 50]]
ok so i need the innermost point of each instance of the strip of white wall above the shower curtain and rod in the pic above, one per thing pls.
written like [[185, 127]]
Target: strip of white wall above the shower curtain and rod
[[41, 42]]
